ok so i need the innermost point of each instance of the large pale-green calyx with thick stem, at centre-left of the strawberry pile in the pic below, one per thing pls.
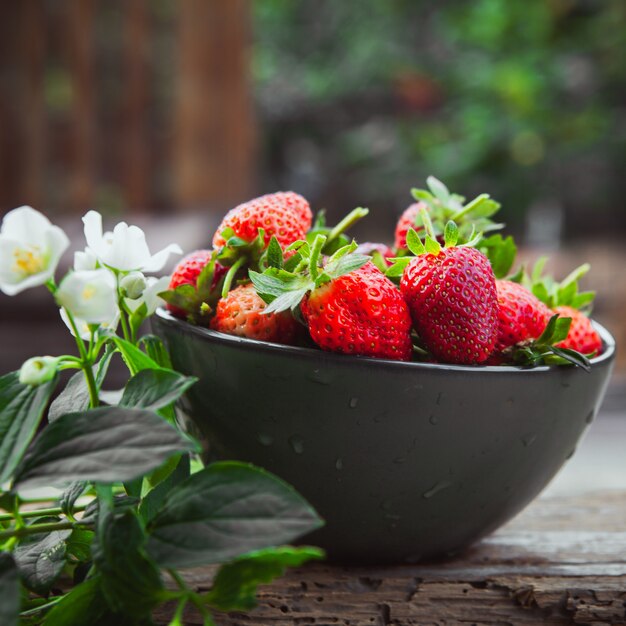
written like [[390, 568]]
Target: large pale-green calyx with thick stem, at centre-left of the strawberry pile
[[283, 286]]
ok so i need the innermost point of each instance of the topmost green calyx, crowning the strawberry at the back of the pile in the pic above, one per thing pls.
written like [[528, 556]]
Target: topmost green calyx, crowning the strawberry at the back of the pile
[[475, 216]]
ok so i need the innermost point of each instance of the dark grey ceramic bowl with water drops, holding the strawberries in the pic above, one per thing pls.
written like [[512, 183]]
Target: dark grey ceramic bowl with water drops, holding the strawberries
[[404, 461]]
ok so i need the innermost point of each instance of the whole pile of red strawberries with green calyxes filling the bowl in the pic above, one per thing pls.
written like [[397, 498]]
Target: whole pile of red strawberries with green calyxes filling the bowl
[[443, 294]]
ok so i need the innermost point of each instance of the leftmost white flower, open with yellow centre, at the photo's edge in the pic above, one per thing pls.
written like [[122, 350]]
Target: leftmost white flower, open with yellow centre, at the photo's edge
[[30, 249]]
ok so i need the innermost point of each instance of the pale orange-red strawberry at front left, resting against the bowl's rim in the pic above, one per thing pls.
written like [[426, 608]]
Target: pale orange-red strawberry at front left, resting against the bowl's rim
[[241, 313]]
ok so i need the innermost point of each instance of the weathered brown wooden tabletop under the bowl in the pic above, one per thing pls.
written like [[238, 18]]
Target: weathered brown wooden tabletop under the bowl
[[562, 561]]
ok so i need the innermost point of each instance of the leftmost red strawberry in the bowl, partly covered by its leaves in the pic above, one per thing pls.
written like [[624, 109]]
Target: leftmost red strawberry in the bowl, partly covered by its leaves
[[186, 273]]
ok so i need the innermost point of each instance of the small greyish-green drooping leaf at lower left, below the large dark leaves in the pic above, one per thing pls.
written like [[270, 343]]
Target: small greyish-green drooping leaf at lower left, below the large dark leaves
[[41, 561]]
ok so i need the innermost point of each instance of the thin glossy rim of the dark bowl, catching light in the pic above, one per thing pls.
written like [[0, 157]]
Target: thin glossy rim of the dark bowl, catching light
[[266, 346]]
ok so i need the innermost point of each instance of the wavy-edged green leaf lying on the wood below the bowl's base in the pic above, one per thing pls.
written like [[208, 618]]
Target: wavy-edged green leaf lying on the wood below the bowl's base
[[235, 584]]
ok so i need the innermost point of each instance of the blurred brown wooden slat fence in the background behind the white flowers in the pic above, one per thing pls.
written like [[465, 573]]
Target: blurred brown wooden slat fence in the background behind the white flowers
[[132, 104]]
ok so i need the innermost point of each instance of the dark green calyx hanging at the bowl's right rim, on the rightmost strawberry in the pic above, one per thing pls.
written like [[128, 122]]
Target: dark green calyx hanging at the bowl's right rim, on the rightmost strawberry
[[543, 350]]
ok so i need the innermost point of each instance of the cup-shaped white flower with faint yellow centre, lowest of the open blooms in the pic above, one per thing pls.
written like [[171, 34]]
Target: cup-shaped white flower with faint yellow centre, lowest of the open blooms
[[90, 296]]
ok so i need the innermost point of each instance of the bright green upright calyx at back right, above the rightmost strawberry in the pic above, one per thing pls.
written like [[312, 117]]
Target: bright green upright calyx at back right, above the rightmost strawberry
[[554, 293]]
